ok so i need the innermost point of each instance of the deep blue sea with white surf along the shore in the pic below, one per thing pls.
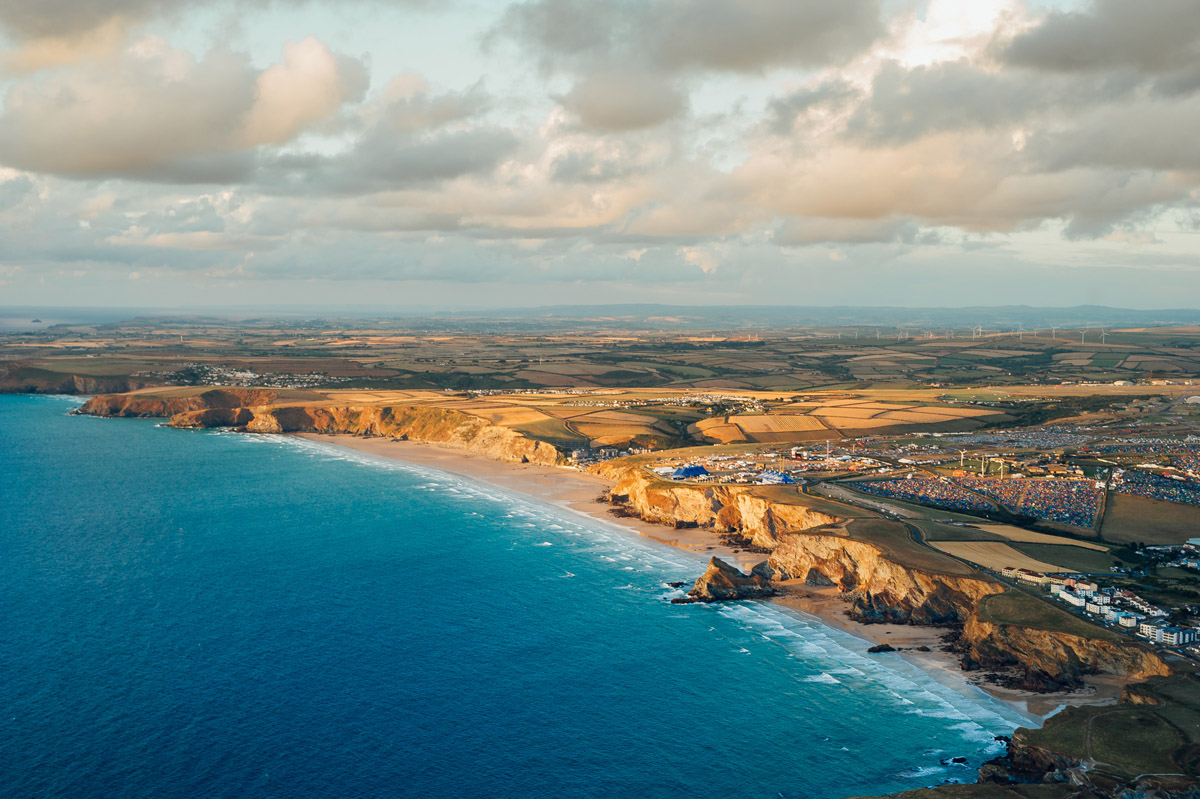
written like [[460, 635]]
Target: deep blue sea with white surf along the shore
[[201, 614]]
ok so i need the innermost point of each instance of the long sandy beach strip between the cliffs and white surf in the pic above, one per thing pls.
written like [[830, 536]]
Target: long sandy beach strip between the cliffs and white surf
[[579, 492]]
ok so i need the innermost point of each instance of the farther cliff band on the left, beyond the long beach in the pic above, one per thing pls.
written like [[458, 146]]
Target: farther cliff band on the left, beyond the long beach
[[253, 411]]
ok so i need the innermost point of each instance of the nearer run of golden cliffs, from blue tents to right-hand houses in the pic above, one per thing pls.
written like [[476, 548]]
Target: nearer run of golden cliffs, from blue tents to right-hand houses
[[884, 579]]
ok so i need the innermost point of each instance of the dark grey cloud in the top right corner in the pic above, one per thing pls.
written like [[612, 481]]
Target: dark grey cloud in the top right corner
[[1151, 37]]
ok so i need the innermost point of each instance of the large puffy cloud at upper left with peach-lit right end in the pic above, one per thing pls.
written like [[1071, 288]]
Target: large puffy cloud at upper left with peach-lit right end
[[157, 113]]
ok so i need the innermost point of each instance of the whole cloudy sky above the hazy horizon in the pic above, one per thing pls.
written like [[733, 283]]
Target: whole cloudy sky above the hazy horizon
[[490, 154]]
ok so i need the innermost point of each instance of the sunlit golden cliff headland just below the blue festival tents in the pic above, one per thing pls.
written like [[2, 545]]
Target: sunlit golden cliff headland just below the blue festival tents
[[725, 509]]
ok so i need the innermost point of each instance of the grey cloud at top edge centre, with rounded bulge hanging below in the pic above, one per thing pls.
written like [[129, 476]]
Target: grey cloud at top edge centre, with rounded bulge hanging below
[[631, 58]]
